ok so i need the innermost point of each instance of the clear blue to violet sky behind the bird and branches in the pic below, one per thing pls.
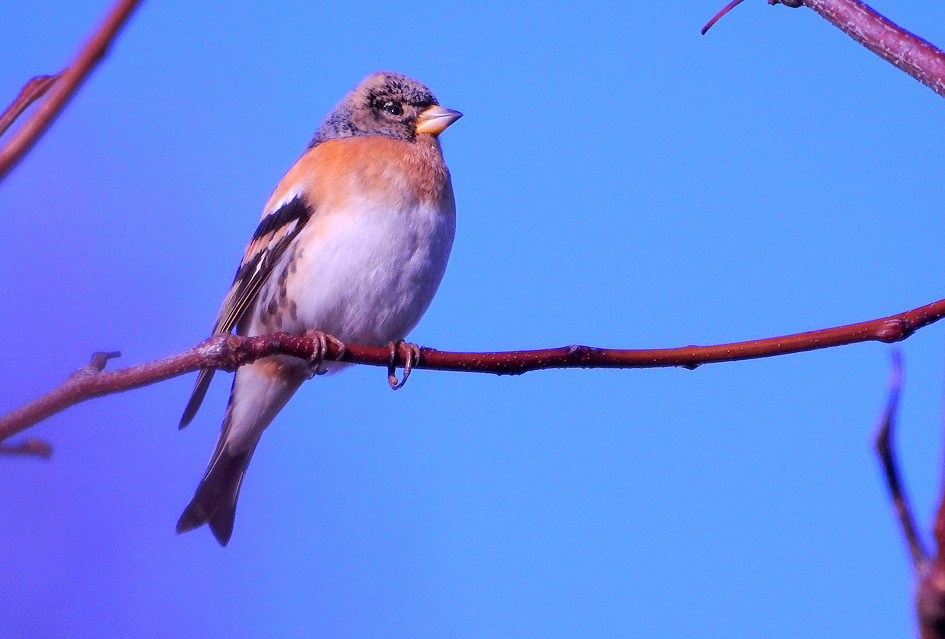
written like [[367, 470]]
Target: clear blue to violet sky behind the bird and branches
[[620, 181]]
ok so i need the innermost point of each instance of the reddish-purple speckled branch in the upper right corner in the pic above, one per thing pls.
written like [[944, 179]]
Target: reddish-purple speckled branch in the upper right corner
[[910, 53]]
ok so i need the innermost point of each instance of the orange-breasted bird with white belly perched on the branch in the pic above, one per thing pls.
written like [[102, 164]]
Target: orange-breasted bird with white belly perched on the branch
[[353, 242]]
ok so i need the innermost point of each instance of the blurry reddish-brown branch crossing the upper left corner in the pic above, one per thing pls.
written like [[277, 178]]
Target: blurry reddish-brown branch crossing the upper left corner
[[63, 87]]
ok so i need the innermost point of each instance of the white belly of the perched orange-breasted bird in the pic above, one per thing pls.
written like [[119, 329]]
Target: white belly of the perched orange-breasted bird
[[365, 277]]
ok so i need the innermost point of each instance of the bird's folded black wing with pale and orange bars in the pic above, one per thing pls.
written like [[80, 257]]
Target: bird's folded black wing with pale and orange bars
[[275, 233]]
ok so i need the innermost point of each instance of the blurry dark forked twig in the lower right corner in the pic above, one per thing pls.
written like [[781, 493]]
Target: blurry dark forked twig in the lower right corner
[[929, 571]]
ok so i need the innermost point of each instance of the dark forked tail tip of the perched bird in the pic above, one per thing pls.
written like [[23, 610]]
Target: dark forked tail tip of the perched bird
[[214, 502]]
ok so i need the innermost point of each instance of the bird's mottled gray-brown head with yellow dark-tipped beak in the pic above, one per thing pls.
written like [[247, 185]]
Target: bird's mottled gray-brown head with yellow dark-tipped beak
[[386, 103]]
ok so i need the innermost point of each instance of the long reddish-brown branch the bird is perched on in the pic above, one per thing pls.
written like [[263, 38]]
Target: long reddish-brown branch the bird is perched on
[[228, 352]]
